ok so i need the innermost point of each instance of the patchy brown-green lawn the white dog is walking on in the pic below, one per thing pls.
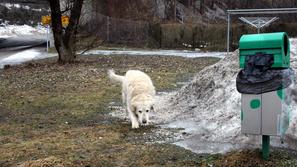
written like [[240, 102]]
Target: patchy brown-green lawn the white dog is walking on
[[58, 115]]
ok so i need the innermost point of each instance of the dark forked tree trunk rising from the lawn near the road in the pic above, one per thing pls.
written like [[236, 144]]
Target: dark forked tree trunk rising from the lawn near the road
[[65, 37]]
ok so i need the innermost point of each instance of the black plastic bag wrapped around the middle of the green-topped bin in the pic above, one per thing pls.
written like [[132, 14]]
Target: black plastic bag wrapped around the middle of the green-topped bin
[[258, 77]]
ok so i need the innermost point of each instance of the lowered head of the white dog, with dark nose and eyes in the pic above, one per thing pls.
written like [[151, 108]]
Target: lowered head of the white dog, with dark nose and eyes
[[142, 112]]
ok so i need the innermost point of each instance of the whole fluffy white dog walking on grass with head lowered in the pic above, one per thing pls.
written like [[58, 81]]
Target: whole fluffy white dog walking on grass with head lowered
[[138, 94]]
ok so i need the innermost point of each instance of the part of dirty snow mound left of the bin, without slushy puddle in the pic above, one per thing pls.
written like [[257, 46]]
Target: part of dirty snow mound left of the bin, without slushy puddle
[[208, 107]]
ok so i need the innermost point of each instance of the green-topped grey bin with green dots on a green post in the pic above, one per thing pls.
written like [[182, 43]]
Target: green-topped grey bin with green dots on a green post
[[265, 113]]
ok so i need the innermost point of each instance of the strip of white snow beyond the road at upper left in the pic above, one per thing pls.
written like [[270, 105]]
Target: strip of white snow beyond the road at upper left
[[23, 30]]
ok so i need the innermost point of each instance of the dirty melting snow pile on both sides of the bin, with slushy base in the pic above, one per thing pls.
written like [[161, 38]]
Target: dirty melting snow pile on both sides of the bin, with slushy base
[[209, 109]]
